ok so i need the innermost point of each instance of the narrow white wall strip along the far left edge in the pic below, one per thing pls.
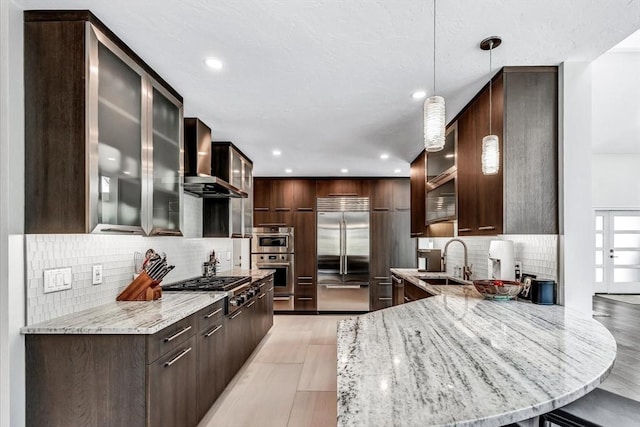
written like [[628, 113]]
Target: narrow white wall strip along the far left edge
[[12, 302]]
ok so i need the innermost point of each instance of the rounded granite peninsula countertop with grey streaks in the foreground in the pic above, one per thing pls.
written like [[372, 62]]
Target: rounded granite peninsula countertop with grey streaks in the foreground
[[462, 360]]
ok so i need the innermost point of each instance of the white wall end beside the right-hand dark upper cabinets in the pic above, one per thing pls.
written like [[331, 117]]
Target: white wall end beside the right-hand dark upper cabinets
[[577, 240]]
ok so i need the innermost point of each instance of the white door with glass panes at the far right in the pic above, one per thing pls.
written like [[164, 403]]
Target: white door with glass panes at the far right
[[617, 252]]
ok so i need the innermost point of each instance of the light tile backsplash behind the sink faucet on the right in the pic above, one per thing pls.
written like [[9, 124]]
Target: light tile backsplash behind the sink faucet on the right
[[538, 253]]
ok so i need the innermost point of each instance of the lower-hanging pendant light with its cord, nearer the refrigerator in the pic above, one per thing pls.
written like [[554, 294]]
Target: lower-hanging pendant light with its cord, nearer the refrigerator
[[434, 112]]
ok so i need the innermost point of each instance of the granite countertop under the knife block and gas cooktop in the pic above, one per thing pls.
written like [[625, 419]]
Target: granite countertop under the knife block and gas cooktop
[[129, 317]]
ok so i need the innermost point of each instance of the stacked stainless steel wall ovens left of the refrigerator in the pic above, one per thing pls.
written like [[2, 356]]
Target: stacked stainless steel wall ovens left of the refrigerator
[[272, 249]]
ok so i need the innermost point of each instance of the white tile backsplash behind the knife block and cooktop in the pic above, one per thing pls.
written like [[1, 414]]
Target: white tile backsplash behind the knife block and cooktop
[[115, 253]]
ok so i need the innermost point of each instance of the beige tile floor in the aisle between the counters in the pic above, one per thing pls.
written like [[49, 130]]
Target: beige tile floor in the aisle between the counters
[[289, 381]]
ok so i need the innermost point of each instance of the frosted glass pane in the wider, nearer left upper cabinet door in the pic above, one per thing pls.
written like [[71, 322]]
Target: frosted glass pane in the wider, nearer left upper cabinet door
[[119, 132]]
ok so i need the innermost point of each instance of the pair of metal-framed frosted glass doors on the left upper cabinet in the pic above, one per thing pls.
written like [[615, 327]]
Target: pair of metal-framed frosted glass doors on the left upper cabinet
[[134, 144]]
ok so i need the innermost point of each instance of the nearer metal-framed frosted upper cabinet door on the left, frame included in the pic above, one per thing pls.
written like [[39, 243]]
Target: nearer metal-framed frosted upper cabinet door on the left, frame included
[[116, 133]]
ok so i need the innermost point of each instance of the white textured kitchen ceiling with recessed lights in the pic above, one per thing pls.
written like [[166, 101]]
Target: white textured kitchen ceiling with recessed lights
[[328, 82]]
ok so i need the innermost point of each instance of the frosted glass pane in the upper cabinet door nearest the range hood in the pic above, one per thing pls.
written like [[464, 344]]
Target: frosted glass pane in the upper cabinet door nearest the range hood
[[167, 129]]
